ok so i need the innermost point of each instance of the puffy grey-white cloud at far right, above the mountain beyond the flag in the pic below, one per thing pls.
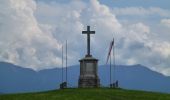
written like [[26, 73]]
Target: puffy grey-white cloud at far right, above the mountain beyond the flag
[[139, 46]]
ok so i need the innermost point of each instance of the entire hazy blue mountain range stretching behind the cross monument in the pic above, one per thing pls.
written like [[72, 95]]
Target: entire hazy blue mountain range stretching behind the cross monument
[[15, 79]]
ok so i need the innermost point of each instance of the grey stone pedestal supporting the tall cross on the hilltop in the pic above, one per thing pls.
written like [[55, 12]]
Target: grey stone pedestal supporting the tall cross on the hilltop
[[88, 73]]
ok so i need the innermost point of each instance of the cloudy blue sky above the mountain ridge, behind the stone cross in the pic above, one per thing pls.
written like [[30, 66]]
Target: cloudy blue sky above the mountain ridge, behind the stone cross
[[32, 32]]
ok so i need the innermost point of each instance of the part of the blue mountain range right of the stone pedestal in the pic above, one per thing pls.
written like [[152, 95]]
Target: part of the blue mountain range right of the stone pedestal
[[137, 77]]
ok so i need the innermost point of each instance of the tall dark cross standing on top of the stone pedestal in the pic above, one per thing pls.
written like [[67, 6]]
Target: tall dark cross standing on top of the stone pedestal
[[88, 32]]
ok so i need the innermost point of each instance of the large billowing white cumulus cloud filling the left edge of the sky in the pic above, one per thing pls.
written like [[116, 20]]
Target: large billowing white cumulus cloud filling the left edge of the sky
[[22, 41]]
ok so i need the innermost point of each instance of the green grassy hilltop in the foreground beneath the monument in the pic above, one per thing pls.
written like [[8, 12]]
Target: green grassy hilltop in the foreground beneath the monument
[[88, 94]]
